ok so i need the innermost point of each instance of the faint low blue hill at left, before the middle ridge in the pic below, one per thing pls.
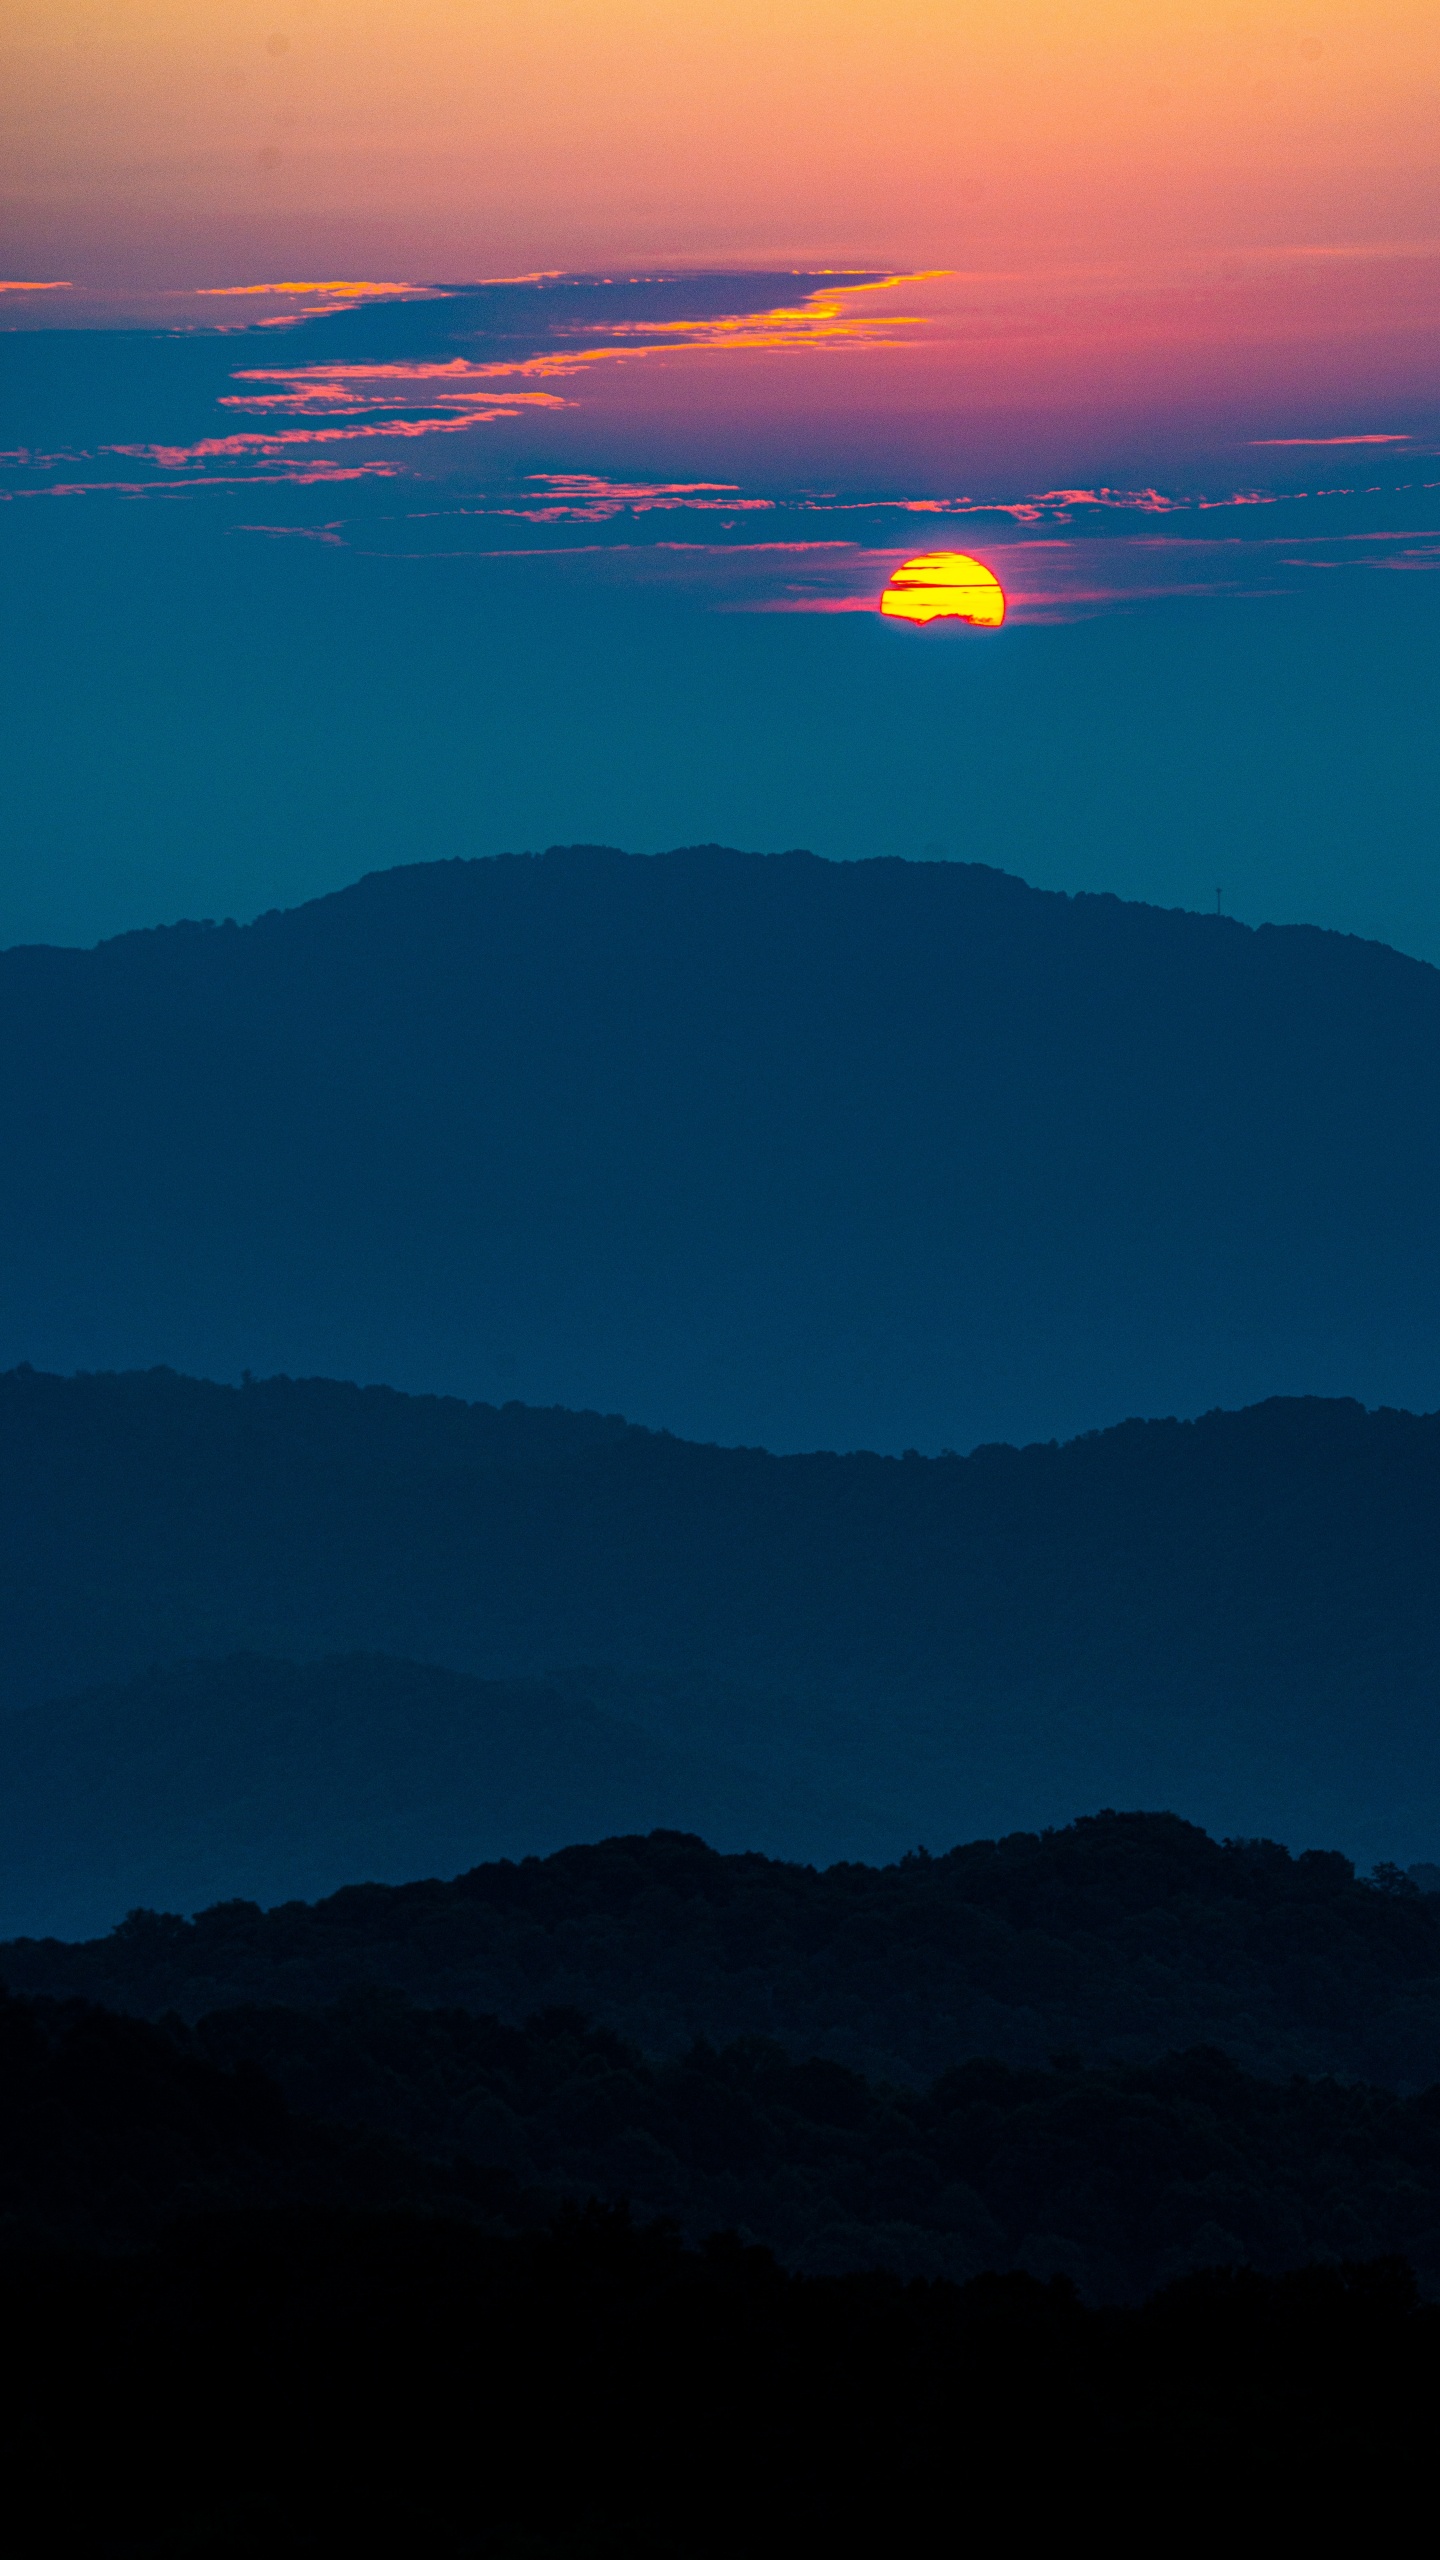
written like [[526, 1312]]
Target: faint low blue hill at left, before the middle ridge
[[278, 1780]]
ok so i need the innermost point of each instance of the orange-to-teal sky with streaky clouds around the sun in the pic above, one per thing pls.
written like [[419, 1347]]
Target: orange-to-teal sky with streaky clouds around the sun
[[460, 429]]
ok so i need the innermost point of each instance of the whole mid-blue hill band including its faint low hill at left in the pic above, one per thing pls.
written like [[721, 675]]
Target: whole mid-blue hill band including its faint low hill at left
[[314, 1632]]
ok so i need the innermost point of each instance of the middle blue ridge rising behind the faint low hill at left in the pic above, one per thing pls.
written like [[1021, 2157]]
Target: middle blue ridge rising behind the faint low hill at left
[[1239, 1617]]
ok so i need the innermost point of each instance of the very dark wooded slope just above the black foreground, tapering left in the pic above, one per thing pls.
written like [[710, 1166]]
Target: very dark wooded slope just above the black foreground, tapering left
[[1116, 2177]]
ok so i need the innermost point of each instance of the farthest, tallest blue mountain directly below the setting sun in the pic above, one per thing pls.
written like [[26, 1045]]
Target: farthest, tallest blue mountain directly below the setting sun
[[757, 1148]]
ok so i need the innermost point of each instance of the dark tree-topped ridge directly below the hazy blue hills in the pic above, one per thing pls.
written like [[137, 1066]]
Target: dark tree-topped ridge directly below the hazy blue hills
[[1118, 1939]]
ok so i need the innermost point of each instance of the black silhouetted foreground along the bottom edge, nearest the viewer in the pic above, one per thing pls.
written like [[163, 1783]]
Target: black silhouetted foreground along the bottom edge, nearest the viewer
[[375, 2385]]
